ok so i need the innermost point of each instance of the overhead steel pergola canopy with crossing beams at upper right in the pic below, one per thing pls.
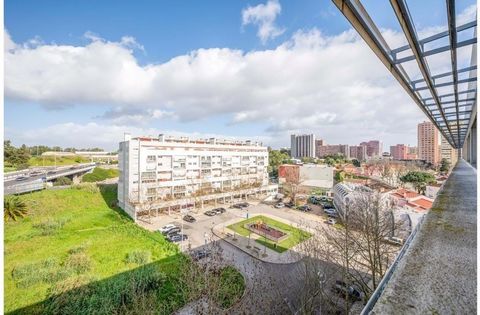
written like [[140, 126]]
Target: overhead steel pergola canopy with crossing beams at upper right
[[452, 113]]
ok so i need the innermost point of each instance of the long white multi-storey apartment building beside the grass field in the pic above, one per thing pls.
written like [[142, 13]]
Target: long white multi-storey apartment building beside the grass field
[[164, 174]]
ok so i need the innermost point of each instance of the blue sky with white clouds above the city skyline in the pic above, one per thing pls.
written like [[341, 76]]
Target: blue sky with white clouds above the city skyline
[[80, 73]]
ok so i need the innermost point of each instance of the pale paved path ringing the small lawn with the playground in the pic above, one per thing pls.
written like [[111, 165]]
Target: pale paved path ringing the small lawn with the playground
[[257, 250]]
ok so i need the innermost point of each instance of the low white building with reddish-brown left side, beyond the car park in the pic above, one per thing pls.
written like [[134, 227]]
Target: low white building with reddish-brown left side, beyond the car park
[[307, 175]]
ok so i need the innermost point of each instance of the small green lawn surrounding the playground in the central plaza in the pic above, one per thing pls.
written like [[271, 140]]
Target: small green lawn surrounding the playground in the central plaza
[[295, 235]]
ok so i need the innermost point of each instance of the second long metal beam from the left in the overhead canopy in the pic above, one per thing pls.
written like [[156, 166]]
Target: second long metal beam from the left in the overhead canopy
[[403, 16]]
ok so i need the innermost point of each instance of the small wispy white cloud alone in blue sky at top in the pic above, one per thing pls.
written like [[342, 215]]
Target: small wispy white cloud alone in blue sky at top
[[263, 16]]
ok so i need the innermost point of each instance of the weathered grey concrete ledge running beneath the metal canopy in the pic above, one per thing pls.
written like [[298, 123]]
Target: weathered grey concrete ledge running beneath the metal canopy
[[438, 274]]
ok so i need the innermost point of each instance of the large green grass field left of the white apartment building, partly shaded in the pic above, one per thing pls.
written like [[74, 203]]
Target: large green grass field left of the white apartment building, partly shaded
[[77, 253]]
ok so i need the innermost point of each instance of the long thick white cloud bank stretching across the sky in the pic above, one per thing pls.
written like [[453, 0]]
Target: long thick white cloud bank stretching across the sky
[[333, 86]]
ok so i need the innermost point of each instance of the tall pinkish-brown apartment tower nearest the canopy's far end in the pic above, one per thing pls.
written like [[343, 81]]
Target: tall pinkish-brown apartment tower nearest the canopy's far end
[[428, 143]]
